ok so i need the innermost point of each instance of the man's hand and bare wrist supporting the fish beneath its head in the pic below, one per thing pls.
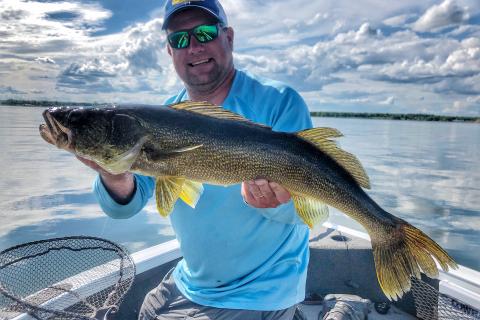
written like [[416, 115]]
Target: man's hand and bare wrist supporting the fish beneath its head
[[119, 186]]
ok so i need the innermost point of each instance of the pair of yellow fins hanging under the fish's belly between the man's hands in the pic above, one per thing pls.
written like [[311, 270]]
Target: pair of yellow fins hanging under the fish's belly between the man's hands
[[169, 189]]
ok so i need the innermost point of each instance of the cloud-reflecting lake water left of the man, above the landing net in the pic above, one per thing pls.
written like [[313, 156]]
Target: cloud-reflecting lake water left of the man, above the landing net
[[46, 192]]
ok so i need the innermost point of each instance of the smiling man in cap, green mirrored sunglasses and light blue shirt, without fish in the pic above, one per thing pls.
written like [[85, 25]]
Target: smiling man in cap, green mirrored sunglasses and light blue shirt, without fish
[[245, 251]]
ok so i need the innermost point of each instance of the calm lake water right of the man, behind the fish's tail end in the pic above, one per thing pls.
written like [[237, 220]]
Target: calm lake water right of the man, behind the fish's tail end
[[426, 173]]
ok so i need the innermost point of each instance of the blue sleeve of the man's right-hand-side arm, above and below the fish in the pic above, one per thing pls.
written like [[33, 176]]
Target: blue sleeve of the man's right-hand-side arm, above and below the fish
[[291, 115]]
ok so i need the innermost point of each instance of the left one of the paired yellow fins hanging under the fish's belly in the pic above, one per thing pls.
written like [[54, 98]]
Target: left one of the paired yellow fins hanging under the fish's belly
[[167, 191]]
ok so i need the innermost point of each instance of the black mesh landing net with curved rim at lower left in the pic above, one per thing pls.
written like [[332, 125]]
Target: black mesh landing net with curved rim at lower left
[[64, 278]]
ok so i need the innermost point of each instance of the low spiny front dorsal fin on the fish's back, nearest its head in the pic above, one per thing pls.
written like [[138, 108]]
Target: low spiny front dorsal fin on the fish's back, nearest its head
[[211, 110]]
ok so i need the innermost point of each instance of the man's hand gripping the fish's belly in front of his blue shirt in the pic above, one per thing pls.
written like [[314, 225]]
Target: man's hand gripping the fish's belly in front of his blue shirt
[[262, 193]]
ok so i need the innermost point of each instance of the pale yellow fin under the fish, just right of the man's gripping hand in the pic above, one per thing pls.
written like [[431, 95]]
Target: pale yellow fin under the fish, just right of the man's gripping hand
[[311, 211]]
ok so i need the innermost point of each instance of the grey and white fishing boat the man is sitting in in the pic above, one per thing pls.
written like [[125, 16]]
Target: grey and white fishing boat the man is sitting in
[[341, 262]]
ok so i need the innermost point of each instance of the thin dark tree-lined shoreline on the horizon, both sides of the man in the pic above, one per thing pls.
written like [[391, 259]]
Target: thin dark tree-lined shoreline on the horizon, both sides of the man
[[323, 114]]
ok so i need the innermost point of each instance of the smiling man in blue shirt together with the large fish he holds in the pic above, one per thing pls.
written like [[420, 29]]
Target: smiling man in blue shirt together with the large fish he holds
[[244, 246]]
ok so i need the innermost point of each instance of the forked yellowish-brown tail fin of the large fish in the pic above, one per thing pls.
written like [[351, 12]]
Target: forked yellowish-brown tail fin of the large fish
[[405, 253]]
